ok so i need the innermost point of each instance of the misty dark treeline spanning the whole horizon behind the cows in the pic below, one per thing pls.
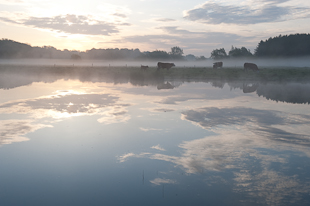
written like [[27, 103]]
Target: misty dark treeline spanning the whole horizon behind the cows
[[281, 46]]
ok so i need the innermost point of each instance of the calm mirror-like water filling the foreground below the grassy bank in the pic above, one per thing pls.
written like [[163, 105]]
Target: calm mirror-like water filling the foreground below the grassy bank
[[92, 140]]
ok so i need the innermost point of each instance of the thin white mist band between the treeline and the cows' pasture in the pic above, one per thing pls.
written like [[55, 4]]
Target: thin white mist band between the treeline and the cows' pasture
[[261, 62]]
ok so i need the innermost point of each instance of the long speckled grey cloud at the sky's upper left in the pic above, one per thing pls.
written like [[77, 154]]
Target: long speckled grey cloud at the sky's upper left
[[70, 23]]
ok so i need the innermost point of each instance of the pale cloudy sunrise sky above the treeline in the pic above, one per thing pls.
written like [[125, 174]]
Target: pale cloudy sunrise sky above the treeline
[[196, 26]]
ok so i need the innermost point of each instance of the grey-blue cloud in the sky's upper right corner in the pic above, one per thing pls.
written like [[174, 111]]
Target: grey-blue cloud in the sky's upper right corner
[[269, 11]]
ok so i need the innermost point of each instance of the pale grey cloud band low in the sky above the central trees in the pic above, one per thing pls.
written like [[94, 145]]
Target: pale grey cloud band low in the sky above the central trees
[[196, 42]]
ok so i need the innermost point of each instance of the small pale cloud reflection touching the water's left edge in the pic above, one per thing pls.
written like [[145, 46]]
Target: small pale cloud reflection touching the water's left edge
[[15, 130]]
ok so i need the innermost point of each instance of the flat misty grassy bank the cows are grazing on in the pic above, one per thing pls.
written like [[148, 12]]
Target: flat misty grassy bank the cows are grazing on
[[151, 74]]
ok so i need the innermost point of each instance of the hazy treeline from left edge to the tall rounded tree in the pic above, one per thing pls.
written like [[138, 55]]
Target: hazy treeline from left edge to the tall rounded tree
[[12, 49]]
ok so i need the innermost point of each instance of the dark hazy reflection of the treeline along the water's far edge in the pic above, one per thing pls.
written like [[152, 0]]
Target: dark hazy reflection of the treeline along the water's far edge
[[16, 76]]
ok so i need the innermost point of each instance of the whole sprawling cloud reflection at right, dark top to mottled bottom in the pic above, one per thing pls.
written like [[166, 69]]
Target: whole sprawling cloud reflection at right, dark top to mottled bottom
[[243, 137]]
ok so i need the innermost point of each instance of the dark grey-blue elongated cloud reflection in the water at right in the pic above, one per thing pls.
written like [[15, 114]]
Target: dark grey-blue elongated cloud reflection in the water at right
[[260, 122]]
